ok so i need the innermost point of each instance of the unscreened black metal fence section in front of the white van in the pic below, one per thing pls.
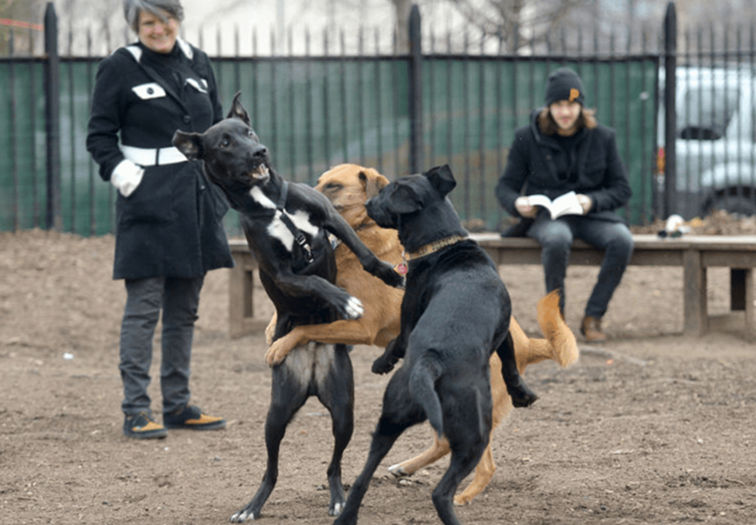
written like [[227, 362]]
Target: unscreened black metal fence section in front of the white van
[[708, 119]]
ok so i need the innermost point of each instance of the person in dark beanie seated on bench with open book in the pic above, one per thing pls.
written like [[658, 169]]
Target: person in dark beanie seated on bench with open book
[[564, 149]]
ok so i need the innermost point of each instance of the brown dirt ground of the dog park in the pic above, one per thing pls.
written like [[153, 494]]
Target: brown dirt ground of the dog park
[[651, 428]]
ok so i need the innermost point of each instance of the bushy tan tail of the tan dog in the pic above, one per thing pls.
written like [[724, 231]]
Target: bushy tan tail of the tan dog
[[559, 344]]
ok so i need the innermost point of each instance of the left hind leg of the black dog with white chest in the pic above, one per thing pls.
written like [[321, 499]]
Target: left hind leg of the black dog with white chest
[[287, 397]]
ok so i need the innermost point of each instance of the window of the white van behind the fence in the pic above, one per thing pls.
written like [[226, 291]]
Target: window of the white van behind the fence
[[704, 114]]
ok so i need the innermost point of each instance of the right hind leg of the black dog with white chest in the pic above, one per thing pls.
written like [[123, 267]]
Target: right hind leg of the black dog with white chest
[[336, 392]]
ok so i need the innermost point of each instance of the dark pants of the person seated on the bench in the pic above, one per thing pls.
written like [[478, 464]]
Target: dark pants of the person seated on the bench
[[556, 238]]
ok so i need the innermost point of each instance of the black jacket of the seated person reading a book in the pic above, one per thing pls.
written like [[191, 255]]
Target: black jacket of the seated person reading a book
[[531, 170]]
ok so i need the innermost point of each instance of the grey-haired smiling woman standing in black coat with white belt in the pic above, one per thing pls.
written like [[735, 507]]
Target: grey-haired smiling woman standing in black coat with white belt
[[169, 229]]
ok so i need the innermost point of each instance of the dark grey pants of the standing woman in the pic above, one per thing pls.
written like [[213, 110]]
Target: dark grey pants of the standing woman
[[179, 301]]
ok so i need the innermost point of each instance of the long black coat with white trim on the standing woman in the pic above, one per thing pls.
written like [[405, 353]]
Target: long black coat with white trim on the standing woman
[[171, 225]]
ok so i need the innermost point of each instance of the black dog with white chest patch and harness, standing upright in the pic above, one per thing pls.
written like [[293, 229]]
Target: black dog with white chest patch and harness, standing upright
[[286, 226]]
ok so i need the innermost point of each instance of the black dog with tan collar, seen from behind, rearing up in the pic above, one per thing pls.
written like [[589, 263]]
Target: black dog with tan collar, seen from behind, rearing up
[[455, 313]]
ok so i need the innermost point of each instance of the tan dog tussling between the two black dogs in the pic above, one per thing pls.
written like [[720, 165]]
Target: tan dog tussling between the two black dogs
[[348, 187]]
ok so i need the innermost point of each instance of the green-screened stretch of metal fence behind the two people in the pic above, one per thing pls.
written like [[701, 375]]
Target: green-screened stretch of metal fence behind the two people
[[396, 112]]
